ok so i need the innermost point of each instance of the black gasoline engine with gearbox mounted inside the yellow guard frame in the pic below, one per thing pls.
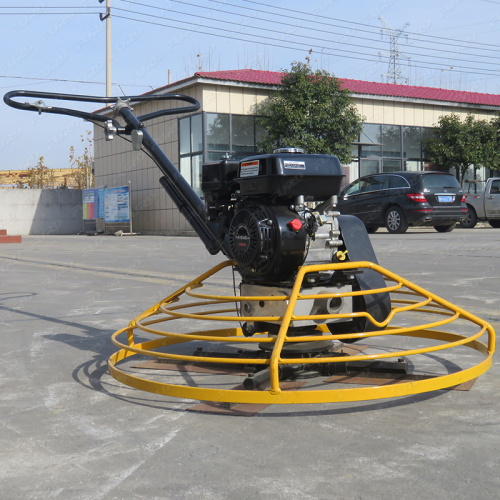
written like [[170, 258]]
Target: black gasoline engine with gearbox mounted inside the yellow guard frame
[[274, 213]]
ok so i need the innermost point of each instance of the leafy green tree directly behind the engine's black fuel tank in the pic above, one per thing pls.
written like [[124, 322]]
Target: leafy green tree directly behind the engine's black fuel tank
[[310, 111]]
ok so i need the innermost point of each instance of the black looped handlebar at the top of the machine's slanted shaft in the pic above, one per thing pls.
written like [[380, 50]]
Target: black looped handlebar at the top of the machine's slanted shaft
[[41, 107]]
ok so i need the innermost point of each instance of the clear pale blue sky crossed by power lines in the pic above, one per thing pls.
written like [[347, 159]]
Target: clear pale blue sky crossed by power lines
[[59, 46]]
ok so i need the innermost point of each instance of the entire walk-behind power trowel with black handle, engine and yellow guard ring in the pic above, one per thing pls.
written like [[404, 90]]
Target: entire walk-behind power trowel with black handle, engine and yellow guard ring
[[309, 279]]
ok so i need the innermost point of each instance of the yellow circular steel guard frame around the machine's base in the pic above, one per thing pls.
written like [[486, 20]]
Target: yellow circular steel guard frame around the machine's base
[[180, 304]]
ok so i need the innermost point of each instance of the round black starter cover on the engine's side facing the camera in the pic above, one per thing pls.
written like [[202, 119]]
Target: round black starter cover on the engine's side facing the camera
[[263, 243]]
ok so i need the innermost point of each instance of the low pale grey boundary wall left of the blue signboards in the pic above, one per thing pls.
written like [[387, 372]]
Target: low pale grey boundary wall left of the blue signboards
[[41, 211]]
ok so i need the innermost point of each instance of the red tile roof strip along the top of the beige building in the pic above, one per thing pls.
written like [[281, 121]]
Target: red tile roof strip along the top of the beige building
[[362, 87]]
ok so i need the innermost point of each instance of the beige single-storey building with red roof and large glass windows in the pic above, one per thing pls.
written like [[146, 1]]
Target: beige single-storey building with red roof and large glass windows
[[397, 119]]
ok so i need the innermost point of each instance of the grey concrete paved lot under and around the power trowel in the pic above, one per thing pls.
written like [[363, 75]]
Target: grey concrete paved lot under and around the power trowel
[[71, 431]]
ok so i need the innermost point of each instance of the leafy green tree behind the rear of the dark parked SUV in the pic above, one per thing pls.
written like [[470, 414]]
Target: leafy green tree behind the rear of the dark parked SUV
[[463, 144]]
